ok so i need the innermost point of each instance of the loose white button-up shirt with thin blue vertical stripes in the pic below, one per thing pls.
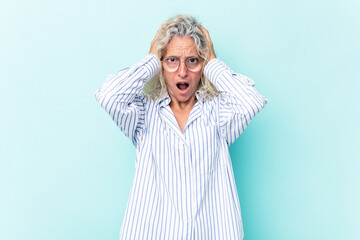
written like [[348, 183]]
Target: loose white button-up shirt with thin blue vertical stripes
[[183, 186]]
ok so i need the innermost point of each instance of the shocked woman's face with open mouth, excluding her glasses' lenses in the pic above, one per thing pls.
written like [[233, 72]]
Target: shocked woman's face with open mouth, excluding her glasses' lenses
[[181, 84]]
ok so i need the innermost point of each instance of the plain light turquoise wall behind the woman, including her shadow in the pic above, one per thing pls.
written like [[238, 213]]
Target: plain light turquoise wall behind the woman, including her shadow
[[66, 169]]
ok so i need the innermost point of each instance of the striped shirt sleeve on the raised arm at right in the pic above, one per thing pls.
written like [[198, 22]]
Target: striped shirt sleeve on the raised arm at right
[[239, 101]]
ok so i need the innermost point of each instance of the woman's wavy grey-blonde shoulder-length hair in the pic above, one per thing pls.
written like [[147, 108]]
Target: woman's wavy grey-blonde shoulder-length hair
[[182, 26]]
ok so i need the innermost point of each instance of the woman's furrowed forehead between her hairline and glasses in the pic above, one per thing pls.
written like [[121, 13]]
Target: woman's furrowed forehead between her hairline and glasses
[[181, 46]]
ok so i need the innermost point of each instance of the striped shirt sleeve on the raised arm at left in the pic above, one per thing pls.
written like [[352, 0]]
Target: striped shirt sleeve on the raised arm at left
[[121, 96]]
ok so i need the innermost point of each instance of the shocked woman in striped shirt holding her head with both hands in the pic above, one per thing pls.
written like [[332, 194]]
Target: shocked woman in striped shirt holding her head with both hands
[[181, 107]]
